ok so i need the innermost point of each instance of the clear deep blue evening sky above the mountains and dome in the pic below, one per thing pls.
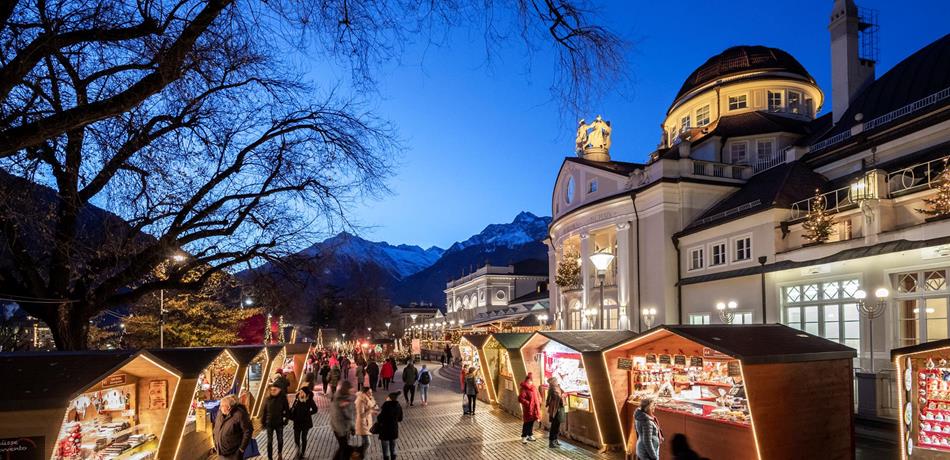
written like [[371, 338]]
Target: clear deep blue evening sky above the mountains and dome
[[484, 141]]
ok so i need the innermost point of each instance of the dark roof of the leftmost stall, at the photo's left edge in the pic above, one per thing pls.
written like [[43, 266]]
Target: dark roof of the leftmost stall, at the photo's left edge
[[48, 380]]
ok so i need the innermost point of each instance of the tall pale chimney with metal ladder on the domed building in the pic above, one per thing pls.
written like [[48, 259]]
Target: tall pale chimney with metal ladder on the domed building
[[853, 53]]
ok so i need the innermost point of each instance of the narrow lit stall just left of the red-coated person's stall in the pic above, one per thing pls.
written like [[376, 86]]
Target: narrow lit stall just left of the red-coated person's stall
[[504, 367]]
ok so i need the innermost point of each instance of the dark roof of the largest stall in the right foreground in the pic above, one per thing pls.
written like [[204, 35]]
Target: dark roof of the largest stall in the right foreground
[[762, 343]]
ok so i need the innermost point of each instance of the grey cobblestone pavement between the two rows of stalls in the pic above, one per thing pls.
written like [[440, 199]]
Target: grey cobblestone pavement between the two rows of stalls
[[440, 432]]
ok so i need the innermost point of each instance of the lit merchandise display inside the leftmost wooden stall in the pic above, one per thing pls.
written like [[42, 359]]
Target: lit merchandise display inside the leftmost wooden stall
[[105, 425]]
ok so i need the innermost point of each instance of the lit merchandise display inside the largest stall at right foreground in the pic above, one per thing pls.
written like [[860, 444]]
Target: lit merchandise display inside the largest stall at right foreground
[[700, 387]]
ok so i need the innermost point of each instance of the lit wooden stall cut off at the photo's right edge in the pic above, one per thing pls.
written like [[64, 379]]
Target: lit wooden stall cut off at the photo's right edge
[[924, 394]]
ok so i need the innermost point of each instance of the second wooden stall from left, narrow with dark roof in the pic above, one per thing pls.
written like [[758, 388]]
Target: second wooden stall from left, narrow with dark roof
[[208, 374]]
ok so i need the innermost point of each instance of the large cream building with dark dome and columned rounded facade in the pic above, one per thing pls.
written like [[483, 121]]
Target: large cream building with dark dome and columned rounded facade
[[715, 215]]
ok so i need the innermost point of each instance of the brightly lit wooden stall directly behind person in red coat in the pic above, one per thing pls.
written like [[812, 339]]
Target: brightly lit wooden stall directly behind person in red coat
[[575, 359]]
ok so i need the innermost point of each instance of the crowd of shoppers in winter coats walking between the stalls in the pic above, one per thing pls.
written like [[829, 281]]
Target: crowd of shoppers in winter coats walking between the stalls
[[355, 416]]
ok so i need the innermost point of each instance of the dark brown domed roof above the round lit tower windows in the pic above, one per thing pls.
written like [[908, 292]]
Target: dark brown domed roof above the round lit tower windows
[[739, 59]]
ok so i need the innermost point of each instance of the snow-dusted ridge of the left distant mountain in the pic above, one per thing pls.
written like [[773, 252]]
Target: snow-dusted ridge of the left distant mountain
[[399, 261]]
